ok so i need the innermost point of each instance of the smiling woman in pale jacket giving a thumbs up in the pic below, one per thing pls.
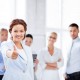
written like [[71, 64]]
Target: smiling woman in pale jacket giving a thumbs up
[[17, 56]]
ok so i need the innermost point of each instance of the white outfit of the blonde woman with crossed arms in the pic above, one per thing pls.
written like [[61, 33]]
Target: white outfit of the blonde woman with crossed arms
[[45, 57]]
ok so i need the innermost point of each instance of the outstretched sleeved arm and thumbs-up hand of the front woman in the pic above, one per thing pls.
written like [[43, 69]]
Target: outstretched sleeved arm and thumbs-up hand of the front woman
[[7, 52]]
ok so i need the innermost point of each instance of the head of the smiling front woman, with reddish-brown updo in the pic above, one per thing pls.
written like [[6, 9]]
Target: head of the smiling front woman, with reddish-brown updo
[[18, 29]]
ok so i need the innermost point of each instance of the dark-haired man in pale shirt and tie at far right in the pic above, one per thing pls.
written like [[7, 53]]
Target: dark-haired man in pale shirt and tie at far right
[[73, 62]]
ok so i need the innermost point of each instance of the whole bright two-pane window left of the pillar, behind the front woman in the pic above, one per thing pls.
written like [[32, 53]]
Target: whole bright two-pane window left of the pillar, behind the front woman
[[10, 9]]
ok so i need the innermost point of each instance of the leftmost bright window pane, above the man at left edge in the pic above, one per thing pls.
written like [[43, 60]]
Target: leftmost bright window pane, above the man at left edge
[[7, 11]]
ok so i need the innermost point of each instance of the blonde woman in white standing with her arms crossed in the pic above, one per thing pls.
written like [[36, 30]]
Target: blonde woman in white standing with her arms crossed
[[50, 60]]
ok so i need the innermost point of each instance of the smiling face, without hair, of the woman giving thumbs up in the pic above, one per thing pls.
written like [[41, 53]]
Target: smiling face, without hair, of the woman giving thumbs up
[[18, 33]]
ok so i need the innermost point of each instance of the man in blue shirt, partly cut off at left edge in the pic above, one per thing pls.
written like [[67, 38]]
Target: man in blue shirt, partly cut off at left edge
[[3, 37]]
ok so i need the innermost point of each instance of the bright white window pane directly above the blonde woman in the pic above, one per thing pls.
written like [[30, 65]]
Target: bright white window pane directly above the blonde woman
[[53, 13]]
